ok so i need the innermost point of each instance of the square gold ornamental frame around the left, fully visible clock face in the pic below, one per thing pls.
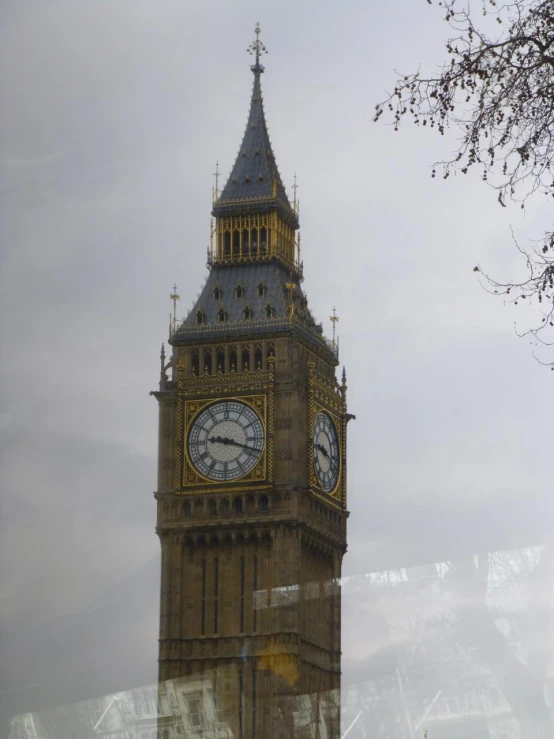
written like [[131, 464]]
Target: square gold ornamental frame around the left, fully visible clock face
[[187, 476]]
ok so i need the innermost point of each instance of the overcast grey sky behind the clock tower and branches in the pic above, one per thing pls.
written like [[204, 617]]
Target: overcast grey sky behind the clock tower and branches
[[113, 115]]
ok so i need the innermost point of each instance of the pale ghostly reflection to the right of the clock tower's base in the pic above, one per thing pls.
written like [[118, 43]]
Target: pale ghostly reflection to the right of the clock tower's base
[[465, 650]]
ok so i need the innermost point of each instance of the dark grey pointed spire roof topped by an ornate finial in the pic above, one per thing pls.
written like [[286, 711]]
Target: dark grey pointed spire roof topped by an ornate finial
[[255, 183]]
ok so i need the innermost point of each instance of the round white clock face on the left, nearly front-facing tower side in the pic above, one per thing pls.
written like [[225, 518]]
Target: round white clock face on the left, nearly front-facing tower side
[[226, 440]]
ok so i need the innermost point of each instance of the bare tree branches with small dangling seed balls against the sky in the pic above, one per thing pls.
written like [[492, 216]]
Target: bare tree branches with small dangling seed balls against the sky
[[498, 91]]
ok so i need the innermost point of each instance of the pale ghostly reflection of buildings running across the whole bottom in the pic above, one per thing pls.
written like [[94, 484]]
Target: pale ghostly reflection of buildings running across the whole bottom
[[457, 650]]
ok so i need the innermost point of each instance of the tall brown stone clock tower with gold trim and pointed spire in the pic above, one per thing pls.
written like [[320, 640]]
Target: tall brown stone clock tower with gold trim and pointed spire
[[251, 499]]
